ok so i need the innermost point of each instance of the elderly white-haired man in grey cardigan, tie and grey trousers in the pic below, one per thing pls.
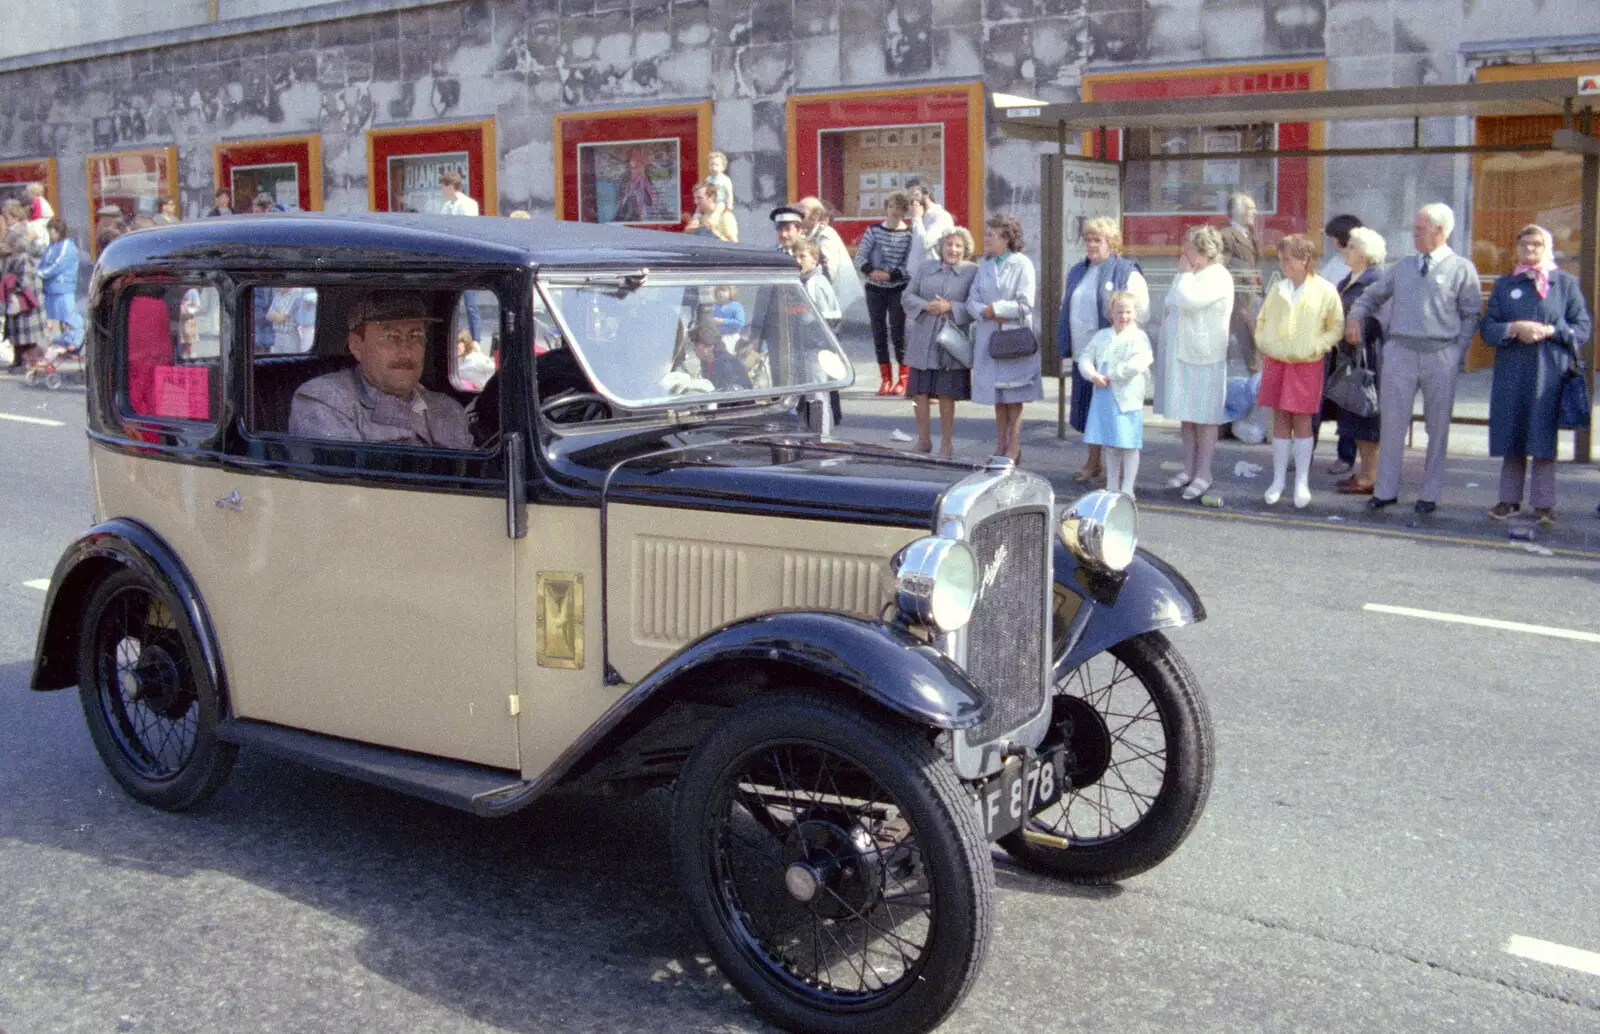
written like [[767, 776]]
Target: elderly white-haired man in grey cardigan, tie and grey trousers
[[1436, 313]]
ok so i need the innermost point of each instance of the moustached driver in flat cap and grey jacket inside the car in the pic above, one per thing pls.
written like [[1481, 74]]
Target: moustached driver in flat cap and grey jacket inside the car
[[382, 399]]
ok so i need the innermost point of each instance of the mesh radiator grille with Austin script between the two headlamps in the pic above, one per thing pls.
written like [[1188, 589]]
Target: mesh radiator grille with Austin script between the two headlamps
[[1007, 635]]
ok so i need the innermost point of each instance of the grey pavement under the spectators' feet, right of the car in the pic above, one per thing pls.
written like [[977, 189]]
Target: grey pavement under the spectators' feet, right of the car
[[1471, 486]]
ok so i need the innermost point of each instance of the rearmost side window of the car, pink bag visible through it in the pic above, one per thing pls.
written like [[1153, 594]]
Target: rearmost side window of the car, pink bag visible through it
[[172, 348]]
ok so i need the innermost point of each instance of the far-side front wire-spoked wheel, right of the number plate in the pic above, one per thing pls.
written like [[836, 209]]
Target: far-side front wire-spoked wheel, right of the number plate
[[1140, 761]]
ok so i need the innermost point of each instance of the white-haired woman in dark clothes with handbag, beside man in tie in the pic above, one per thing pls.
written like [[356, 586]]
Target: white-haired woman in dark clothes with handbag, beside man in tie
[[1364, 252]]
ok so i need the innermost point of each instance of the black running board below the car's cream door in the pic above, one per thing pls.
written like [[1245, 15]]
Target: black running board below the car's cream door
[[484, 792]]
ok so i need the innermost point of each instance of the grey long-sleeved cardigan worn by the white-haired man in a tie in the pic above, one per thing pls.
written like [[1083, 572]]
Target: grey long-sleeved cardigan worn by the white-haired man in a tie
[[1433, 315]]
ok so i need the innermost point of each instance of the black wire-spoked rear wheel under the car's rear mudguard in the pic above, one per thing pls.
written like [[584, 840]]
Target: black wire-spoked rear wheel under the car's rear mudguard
[[148, 699]]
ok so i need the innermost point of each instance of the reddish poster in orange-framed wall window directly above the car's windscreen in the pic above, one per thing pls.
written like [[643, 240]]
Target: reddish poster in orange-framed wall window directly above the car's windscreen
[[631, 182]]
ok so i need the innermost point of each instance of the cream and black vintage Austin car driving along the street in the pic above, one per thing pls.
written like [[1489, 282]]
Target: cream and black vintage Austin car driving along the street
[[607, 553]]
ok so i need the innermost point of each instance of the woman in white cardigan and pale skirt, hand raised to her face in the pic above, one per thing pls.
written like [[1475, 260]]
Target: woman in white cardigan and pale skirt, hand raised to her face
[[1194, 355]]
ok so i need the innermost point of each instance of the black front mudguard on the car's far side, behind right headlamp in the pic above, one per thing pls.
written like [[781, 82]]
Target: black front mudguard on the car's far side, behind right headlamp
[[1146, 598]]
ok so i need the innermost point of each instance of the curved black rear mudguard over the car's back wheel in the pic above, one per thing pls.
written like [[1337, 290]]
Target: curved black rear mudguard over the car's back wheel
[[84, 566]]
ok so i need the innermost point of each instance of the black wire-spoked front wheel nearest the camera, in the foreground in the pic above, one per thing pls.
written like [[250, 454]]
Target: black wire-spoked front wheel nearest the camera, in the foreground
[[834, 867]]
